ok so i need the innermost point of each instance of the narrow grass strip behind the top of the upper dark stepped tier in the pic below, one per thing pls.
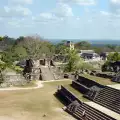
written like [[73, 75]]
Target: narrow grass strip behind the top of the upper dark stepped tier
[[100, 80]]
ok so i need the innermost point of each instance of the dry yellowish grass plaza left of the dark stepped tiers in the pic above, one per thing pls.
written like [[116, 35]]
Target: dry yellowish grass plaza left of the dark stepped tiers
[[33, 104]]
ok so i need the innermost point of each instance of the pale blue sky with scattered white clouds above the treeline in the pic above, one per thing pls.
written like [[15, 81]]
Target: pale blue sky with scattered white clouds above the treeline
[[61, 19]]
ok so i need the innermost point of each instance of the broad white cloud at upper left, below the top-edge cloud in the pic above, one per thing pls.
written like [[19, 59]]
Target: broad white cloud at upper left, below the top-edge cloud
[[15, 11]]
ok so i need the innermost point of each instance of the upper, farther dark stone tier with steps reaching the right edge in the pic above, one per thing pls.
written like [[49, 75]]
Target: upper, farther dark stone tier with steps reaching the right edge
[[103, 95]]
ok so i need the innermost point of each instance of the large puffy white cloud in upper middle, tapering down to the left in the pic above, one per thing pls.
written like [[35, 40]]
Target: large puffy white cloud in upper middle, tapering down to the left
[[61, 12]]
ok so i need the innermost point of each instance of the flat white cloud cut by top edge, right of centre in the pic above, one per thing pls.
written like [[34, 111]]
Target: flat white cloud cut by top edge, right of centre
[[80, 2]]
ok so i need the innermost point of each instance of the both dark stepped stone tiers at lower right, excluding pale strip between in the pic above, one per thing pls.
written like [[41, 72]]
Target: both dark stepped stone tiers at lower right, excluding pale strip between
[[102, 95]]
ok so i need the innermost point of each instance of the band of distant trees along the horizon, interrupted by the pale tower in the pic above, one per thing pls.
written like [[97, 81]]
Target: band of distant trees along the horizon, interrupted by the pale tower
[[12, 49]]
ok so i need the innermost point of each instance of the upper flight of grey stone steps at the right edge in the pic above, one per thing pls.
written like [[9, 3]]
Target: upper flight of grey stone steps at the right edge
[[109, 98]]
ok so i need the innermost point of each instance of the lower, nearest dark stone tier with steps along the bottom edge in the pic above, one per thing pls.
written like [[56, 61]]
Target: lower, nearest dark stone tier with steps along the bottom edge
[[91, 113]]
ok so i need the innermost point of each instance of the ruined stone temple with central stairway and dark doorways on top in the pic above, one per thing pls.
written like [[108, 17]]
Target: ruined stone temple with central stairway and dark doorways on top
[[43, 69]]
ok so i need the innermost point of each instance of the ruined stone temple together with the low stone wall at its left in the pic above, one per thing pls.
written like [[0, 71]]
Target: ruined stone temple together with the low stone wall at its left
[[32, 71]]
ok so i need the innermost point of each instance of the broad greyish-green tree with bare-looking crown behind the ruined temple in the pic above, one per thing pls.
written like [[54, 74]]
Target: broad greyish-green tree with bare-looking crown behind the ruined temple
[[26, 47]]
